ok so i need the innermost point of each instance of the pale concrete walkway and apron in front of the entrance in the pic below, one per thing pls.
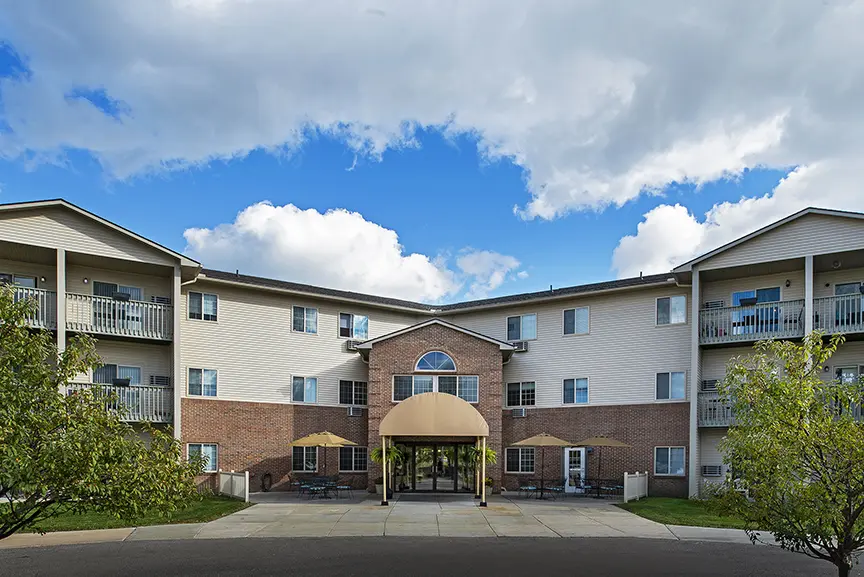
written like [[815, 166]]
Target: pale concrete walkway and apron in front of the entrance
[[426, 516]]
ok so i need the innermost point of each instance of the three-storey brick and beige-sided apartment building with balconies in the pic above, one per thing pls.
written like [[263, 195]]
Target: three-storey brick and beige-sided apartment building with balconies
[[240, 366]]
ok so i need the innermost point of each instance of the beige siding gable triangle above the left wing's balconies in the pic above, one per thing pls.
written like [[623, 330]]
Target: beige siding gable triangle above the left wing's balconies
[[57, 227]]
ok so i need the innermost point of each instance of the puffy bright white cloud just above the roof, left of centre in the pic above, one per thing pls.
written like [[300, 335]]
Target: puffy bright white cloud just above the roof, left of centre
[[338, 249]]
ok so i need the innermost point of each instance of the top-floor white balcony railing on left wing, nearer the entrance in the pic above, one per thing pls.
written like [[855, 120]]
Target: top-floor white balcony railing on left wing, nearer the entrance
[[109, 316]]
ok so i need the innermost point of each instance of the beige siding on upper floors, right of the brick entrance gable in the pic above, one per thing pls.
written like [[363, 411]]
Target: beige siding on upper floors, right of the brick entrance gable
[[620, 356]]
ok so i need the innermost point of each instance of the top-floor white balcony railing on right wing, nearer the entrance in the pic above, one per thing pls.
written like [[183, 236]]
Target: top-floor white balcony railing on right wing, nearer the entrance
[[777, 320]]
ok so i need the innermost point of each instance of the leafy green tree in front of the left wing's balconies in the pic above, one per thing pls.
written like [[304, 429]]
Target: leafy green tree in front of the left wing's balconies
[[64, 452]]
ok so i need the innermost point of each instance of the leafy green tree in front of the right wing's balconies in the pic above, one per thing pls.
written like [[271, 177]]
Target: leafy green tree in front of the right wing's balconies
[[796, 450]]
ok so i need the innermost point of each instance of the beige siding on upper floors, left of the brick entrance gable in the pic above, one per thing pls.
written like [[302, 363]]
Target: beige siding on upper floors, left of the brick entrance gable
[[256, 353]]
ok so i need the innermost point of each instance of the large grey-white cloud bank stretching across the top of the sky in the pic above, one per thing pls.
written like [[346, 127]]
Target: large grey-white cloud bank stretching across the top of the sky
[[598, 101]]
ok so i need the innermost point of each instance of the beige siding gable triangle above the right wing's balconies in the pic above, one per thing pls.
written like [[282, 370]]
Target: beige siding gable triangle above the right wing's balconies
[[813, 233]]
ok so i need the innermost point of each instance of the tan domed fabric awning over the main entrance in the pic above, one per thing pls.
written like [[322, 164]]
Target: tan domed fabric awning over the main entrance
[[434, 415]]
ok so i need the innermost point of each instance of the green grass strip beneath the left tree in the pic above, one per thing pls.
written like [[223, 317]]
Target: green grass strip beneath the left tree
[[208, 509]]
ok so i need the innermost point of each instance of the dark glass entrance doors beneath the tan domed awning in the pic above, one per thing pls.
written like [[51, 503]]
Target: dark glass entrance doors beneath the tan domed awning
[[437, 467]]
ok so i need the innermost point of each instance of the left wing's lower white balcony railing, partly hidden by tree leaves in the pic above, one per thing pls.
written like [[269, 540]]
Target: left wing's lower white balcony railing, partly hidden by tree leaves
[[135, 403]]
